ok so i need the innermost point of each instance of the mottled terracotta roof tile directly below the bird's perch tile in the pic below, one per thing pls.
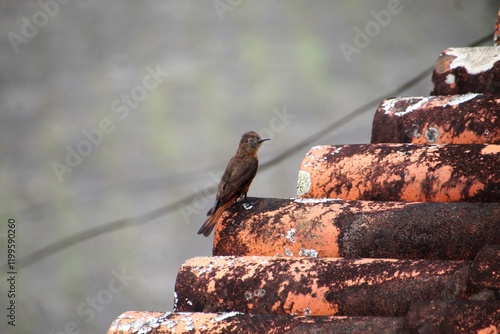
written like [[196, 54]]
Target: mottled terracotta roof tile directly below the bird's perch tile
[[319, 287]]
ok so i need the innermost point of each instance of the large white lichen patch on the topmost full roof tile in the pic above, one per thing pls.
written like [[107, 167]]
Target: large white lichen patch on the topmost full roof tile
[[474, 59]]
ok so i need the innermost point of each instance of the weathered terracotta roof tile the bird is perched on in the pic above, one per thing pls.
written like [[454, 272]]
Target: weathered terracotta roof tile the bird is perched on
[[352, 229]]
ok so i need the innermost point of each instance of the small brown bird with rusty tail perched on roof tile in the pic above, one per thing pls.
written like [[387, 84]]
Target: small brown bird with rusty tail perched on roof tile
[[236, 180]]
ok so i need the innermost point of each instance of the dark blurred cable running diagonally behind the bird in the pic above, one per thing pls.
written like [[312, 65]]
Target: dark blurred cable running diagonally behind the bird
[[171, 207]]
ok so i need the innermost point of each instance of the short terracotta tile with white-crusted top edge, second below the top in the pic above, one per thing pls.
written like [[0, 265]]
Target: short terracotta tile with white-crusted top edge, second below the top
[[451, 119]]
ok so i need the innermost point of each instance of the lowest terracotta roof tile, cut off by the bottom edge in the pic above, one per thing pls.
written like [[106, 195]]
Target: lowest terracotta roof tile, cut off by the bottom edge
[[234, 322]]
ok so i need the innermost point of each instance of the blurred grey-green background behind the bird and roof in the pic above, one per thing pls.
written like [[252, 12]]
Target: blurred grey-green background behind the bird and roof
[[276, 67]]
